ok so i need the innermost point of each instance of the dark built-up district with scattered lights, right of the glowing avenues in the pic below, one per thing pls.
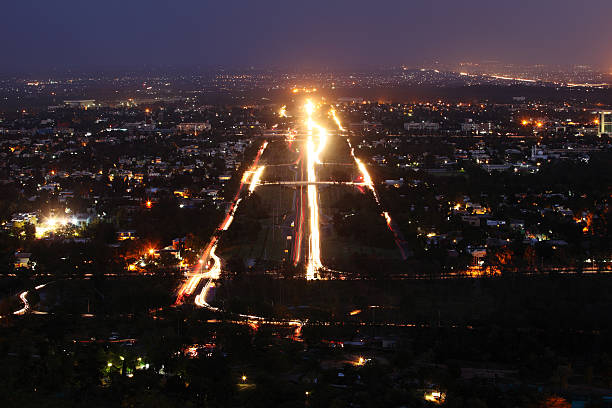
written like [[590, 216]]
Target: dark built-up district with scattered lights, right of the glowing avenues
[[444, 175]]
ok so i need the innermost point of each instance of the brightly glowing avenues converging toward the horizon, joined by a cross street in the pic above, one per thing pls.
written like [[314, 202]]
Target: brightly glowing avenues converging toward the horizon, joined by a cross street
[[312, 145]]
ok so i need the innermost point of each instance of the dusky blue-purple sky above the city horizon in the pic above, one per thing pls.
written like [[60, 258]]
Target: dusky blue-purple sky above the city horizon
[[60, 34]]
